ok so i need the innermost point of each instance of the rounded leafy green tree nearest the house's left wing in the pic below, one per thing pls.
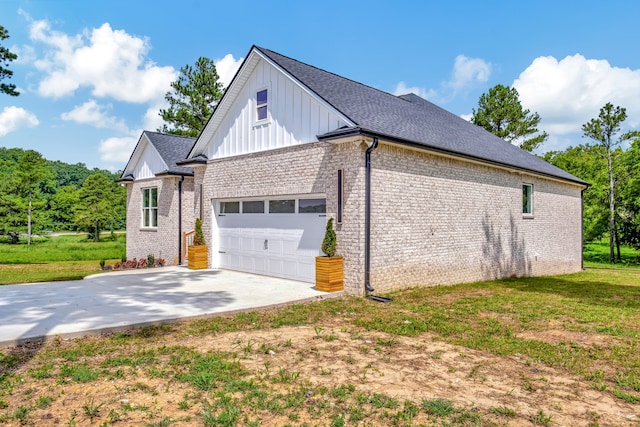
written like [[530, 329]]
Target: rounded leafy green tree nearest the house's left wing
[[99, 205]]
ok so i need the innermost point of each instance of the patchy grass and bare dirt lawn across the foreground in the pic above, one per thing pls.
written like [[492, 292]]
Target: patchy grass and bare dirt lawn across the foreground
[[559, 350]]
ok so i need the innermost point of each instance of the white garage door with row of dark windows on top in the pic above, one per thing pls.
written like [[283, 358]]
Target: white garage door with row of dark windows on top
[[275, 237]]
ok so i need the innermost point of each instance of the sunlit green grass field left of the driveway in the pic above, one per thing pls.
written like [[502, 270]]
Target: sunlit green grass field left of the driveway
[[67, 257]]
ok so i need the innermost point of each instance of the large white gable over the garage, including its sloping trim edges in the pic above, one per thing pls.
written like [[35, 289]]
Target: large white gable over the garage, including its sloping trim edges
[[296, 115]]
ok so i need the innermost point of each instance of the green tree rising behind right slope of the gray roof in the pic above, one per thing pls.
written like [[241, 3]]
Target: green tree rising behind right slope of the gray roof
[[501, 113]]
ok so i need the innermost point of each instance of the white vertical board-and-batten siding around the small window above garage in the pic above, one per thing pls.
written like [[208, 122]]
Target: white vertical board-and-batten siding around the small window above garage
[[294, 117]]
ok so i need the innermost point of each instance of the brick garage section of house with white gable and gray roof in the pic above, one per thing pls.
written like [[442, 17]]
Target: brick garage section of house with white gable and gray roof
[[419, 195]]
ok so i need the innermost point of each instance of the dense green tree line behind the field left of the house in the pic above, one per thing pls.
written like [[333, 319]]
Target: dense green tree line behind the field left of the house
[[58, 195]]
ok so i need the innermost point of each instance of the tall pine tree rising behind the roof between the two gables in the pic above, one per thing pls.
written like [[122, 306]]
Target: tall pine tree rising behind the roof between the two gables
[[194, 97]]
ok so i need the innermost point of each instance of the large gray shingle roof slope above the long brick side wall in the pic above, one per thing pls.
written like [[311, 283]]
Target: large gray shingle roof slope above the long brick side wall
[[412, 120]]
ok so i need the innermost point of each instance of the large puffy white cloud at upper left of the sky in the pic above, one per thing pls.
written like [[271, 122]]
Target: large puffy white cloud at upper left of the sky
[[111, 62]]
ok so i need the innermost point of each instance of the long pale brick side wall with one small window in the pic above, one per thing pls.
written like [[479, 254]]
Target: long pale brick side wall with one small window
[[437, 220]]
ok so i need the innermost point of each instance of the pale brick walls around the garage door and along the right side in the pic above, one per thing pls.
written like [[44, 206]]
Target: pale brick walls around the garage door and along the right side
[[435, 220]]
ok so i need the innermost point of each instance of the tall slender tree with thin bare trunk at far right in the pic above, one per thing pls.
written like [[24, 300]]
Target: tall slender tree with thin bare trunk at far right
[[604, 130]]
